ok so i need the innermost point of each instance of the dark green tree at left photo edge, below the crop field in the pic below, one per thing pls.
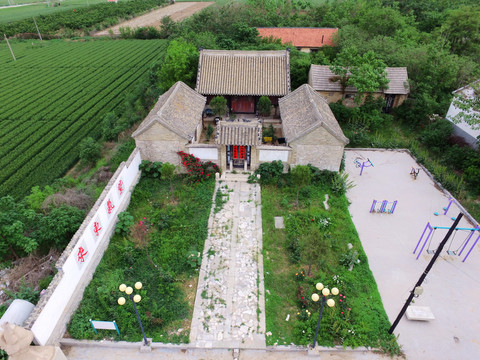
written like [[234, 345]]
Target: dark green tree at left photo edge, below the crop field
[[14, 229]]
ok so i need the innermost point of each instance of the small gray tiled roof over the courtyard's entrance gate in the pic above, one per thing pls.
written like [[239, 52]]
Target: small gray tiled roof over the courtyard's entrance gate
[[237, 133]]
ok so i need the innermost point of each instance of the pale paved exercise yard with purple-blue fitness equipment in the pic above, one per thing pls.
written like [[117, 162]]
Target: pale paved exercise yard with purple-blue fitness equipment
[[393, 203]]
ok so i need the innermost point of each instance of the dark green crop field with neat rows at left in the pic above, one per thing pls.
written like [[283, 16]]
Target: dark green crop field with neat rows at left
[[56, 94]]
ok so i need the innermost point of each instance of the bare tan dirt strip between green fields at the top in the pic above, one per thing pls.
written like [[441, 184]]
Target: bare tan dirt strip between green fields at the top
[[177, 12]]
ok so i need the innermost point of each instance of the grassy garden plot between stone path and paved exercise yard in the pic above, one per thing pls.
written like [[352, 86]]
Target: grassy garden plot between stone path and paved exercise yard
[[313, 248]]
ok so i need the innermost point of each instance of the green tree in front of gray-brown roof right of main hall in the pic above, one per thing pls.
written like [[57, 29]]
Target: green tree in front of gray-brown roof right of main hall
[[365, 72]]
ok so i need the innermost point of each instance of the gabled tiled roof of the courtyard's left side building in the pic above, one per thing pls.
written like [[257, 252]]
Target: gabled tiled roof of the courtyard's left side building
[[179, 109]]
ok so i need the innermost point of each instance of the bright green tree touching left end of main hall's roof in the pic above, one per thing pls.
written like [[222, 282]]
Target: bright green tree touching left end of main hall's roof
[[180, 64]]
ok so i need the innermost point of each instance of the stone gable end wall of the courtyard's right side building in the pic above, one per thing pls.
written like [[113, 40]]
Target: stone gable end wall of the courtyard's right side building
[[326, 155]]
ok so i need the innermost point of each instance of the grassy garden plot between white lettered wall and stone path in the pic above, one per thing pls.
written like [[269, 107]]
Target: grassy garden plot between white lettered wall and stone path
[[163, 232]]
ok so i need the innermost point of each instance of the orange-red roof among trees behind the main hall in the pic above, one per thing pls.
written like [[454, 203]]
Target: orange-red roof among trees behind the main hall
[[301, 37]]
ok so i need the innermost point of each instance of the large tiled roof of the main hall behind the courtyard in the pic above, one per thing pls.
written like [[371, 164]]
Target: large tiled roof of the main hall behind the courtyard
[[229, 72]]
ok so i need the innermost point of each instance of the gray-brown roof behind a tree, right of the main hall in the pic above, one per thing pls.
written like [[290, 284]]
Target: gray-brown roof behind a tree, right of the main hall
[[320, 75]]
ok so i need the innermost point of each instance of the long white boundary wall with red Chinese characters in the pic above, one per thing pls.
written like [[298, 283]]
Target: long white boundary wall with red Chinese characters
[[79, 260]]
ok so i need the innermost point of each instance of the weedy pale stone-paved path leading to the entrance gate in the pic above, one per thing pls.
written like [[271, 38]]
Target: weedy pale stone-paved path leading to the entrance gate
[[229, 306]]
